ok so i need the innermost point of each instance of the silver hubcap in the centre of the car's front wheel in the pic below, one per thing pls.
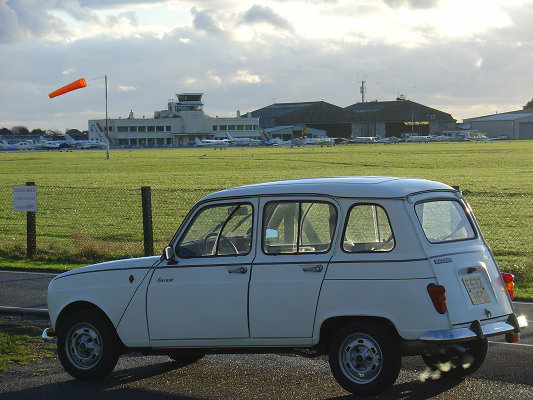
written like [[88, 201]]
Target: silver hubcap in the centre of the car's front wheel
[[84, 345]]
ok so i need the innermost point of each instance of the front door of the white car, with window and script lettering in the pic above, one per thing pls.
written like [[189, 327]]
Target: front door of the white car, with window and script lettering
[[203, 292]]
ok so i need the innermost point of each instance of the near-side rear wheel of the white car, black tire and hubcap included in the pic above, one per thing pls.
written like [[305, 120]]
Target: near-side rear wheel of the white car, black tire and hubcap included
[[364, 357]]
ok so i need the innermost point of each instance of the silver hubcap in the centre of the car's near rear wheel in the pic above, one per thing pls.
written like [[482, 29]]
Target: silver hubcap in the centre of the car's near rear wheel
[[360, 358]]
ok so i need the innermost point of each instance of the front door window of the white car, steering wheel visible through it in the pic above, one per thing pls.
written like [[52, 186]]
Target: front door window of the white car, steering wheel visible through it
[[219, 230]]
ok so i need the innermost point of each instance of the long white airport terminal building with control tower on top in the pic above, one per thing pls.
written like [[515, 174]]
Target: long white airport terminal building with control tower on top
[[177, 126]]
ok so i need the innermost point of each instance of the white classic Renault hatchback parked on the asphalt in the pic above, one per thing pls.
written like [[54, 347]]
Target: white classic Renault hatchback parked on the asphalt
[[362, 269]]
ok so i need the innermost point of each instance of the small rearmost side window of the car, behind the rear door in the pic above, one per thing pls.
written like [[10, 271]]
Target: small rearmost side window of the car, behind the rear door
[[367, 230]]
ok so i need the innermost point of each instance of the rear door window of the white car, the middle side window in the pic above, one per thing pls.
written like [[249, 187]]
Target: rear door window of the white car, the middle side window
[[292, 227]]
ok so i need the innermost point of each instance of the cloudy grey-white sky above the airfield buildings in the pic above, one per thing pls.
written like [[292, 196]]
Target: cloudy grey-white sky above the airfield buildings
[[465, 57]]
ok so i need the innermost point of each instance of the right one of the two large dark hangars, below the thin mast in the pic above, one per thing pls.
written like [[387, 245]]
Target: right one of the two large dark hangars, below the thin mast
[[398, 118]]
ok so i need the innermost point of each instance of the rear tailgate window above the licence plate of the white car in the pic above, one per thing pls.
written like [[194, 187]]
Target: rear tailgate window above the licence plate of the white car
[[444, 221]]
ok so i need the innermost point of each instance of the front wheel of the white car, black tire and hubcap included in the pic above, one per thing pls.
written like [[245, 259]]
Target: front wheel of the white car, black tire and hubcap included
[[87, 345]]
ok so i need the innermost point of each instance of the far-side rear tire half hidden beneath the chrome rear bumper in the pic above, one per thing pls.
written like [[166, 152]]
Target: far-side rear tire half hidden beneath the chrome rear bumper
[[459, 364]]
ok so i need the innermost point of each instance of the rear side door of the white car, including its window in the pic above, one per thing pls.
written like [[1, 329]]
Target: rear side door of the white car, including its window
[[293, 251]]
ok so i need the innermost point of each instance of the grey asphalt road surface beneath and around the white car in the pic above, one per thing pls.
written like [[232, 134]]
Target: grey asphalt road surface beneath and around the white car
[[506, 374]]
